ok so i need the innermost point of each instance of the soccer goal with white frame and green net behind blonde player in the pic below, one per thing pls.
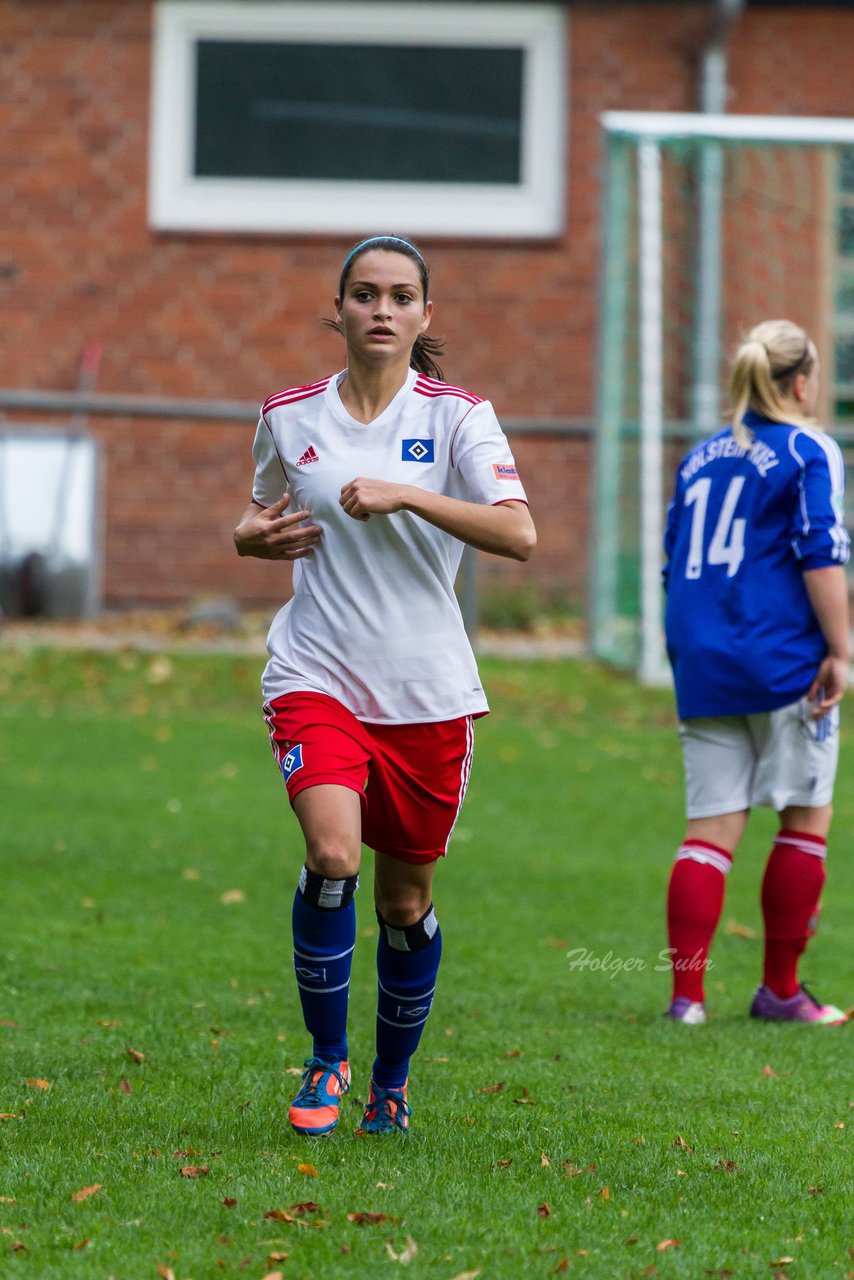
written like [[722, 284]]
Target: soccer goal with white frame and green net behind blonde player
[[711, 225]]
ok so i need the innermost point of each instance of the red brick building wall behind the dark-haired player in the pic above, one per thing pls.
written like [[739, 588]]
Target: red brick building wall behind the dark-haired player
[[238, 317]]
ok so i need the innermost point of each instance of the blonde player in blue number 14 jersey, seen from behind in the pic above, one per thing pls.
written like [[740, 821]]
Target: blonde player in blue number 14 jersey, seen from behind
[[757, 627]]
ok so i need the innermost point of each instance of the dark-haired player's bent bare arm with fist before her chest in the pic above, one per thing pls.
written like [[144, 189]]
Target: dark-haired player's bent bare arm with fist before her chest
[[505, 529]]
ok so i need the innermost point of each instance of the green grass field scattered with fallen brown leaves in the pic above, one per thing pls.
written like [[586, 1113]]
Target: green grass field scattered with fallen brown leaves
[[149, 1021]]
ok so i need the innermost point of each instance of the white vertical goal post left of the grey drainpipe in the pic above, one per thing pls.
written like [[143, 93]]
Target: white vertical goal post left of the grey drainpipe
[[652, 408]]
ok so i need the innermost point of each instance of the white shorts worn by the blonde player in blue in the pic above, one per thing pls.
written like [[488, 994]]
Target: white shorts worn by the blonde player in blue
[[774, 760]]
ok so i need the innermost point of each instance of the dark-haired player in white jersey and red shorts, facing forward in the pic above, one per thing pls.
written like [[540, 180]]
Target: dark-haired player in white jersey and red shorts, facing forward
[[371, 482]]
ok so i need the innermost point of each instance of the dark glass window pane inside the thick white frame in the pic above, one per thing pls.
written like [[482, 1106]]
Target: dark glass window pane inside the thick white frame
[[366, 113]]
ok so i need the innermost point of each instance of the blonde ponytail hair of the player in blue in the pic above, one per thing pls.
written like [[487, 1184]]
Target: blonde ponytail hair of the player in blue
[[764, 373]]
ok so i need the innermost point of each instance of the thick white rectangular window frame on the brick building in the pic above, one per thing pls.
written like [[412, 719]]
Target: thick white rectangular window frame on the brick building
[[179, 200]]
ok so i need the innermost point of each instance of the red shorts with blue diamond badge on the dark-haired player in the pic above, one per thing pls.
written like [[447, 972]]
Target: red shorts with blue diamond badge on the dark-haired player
[[412, 779]]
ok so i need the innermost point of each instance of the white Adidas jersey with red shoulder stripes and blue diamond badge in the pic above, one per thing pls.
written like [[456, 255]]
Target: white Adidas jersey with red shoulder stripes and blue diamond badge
[[375, 621]]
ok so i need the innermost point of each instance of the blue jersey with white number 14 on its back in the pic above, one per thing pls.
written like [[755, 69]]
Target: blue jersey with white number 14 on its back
[[742, 529]]
